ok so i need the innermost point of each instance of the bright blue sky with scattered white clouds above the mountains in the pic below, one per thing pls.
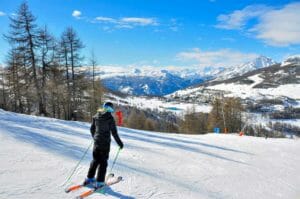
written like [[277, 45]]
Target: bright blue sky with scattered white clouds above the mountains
[[165, 33]]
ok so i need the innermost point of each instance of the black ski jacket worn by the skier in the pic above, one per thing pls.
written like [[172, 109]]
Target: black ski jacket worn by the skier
[[103, 126]]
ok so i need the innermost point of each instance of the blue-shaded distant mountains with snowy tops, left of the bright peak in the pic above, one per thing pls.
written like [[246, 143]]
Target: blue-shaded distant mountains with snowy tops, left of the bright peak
[[150, 81]]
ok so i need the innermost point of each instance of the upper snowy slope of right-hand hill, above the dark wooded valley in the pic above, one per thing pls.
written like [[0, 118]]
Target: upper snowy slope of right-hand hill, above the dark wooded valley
[[279, 80]]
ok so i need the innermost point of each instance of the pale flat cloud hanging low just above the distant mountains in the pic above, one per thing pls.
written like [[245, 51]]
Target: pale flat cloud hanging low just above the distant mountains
[[219, 58]]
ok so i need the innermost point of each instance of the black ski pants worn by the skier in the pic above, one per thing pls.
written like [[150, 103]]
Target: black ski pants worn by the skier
[[99, 162]]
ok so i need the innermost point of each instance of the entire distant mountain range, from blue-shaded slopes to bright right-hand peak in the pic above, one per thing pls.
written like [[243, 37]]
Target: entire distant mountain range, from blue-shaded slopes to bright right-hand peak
[[158, 82]]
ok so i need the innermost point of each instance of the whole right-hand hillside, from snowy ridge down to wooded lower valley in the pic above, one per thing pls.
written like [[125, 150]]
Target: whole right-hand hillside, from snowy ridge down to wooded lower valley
[[269, 95]]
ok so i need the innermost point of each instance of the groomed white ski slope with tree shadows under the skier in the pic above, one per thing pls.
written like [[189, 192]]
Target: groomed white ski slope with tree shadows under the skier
[[37, 155]]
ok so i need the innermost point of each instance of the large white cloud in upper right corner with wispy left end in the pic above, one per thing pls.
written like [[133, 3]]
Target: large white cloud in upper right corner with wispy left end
[[276, 27]]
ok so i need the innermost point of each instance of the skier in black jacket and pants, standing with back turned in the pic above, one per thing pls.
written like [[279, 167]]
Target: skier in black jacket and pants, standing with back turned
[[103, 126]]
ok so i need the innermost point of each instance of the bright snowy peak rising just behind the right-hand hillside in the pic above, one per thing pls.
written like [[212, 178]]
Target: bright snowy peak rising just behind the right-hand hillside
[[259, 62]]
